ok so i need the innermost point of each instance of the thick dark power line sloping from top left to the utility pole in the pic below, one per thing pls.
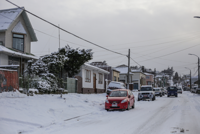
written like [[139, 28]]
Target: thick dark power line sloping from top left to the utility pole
[[66, 30]]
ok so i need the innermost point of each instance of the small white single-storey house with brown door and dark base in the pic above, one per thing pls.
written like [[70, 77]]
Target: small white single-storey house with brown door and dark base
[[91, 79]]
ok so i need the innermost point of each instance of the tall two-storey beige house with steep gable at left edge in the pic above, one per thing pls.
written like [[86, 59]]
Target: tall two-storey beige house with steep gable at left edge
[[16, 35]]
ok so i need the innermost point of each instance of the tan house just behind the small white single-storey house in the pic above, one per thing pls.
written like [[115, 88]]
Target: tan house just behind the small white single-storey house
[[113, 73]]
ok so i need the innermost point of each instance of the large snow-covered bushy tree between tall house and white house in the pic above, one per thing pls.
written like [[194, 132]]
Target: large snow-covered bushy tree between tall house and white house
[[48, 67]]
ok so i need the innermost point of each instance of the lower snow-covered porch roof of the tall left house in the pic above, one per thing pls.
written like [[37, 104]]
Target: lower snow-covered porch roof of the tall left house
[[11, 52]]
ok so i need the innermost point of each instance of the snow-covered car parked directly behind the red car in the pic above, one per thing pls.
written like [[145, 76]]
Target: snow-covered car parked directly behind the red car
[[115, 85]]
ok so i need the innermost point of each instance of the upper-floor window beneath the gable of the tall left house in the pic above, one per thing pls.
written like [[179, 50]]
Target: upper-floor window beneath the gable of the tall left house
[[18, 42]]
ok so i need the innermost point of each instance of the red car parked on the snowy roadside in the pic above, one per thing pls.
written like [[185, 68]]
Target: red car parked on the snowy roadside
[[120, 99]]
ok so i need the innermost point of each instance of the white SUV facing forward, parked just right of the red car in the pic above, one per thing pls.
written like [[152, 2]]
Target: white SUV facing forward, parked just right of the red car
[[146, 92]]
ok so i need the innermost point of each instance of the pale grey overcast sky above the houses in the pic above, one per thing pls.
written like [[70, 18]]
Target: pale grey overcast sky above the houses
[[159, 33]]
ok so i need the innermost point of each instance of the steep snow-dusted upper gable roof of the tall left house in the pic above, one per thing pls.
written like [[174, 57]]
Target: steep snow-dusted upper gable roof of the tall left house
[[8, 16]]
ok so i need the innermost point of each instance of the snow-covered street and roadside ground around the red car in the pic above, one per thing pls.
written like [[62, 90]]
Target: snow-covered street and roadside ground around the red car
[[84, 113]]
